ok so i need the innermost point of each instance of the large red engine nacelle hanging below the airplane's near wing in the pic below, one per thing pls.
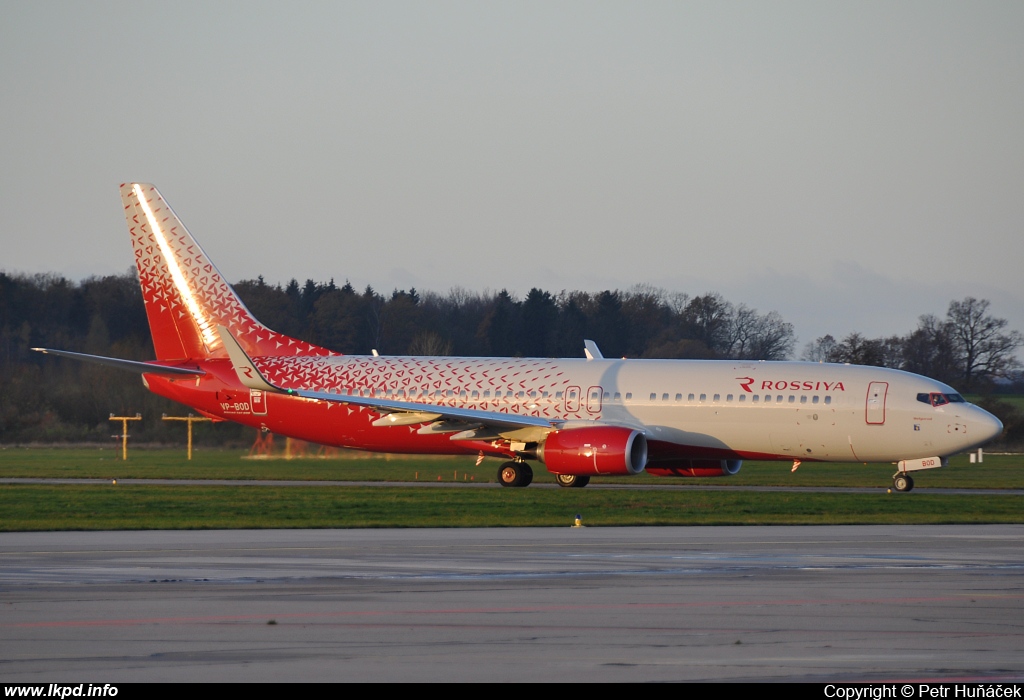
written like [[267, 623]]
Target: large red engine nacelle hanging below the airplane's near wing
[[589, 452]]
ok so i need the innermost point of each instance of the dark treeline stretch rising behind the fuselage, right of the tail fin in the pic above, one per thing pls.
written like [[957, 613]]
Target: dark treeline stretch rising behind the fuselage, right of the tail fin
[[641, 323]]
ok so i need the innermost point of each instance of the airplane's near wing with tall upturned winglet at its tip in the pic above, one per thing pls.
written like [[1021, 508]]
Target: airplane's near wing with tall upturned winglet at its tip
[[467, 424]]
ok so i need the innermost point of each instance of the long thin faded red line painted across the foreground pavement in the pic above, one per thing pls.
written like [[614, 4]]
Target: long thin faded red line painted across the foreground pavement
[[495, 610]]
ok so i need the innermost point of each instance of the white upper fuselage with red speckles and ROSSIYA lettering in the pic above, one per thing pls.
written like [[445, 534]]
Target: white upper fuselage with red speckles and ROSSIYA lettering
[[798, 411]]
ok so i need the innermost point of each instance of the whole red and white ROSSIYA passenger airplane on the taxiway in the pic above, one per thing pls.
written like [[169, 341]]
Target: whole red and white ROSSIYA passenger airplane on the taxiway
[[580, 418]]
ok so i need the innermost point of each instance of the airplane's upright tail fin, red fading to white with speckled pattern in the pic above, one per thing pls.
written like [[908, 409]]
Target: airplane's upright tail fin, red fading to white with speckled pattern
[[186, 297]]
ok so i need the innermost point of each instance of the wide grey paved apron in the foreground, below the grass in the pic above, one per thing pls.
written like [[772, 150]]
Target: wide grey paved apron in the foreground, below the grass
[[595, 604]]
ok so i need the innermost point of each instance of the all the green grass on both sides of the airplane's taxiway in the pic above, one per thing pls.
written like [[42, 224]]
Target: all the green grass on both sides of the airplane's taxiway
[[100, 507]]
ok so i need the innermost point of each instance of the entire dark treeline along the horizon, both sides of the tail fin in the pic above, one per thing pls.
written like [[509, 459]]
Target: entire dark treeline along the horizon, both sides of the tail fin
[[48, 400]]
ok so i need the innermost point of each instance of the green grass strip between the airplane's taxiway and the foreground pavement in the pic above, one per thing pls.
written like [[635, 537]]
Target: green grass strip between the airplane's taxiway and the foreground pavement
[[145, 508]]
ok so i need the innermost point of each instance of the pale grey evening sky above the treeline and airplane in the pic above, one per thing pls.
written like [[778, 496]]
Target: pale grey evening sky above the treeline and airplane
[[850, 165]]
